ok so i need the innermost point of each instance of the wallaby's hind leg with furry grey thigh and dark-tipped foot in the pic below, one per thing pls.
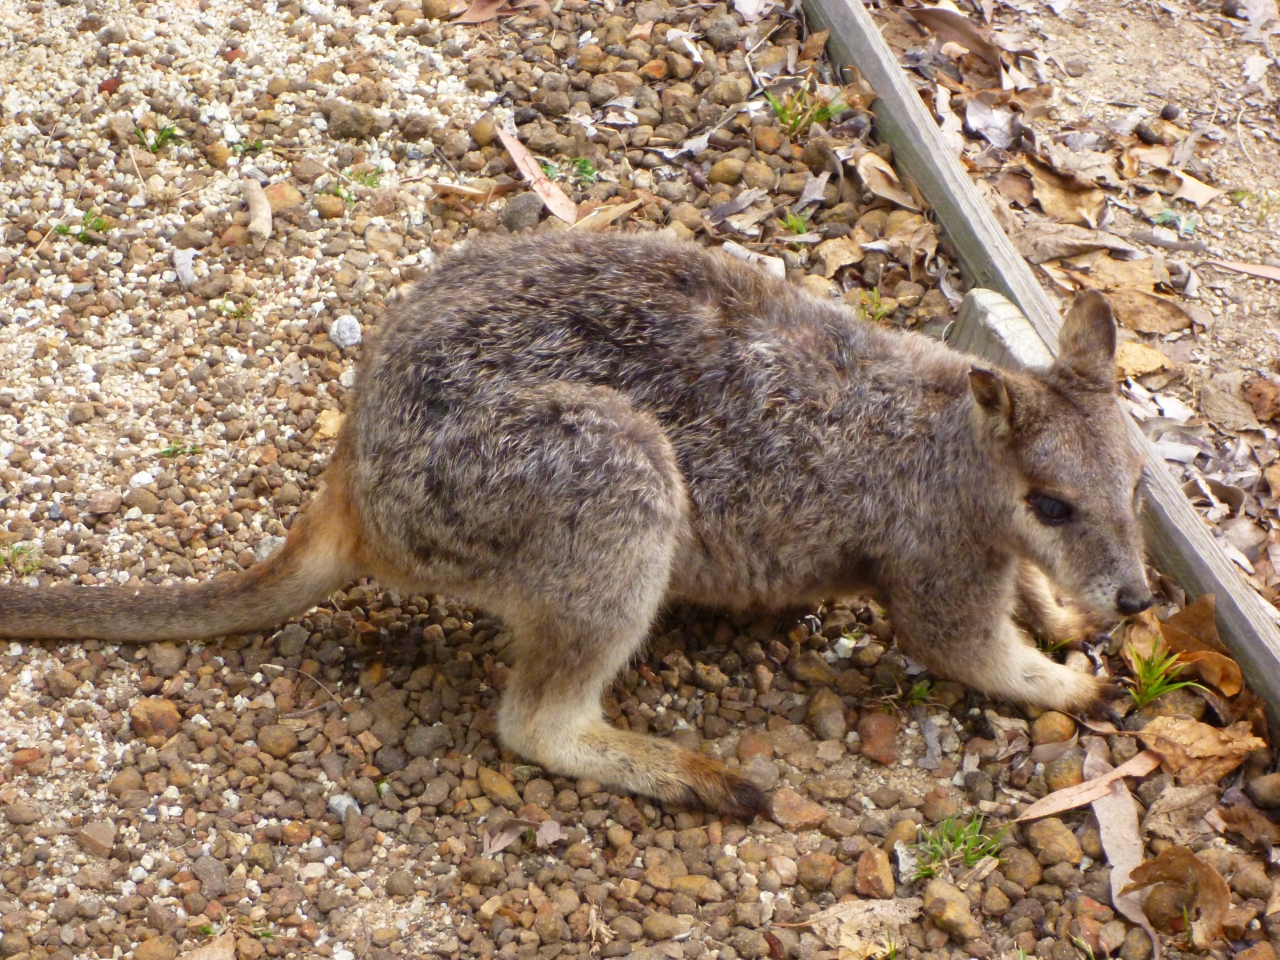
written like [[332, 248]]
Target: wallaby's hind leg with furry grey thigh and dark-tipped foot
[[561, 510]]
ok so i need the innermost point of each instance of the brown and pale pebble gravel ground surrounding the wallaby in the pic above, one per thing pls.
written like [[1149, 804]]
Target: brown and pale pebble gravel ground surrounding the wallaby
[[332, 790]]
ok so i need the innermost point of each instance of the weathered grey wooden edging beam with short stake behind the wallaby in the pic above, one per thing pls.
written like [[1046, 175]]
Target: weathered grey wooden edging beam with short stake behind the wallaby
[[1178, 541]]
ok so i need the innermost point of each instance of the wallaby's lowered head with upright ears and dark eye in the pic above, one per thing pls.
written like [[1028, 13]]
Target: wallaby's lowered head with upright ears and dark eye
[[1077, 472]]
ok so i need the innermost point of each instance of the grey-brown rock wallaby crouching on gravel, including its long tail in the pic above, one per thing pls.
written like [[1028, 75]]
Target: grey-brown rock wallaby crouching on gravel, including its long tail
[[574, 432]]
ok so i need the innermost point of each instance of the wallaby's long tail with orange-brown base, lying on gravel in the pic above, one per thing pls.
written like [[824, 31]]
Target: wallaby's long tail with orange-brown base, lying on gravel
[[319, 557]]
